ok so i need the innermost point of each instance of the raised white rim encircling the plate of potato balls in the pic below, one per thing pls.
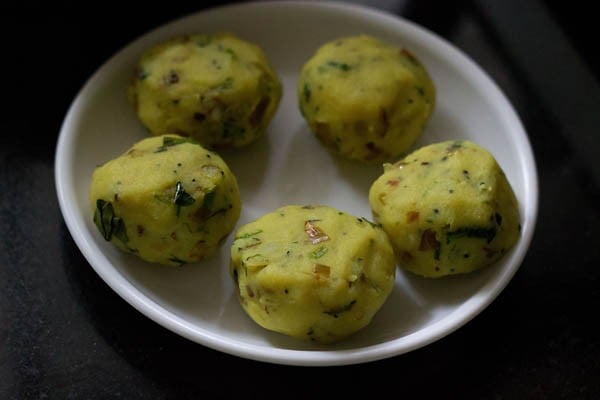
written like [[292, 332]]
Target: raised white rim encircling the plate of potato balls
[[327, 357]]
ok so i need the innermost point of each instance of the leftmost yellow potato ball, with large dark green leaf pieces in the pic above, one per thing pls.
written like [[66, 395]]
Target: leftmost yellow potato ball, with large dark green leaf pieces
[[167, 200]]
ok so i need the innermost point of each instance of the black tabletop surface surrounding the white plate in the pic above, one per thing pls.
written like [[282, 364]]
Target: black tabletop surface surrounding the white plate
[[65, 334]]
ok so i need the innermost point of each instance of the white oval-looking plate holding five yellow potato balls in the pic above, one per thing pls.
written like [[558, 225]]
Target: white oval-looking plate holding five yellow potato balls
[[289, 166]]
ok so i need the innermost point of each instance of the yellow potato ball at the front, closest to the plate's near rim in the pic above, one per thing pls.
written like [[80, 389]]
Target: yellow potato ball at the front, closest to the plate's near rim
[[312, 272]]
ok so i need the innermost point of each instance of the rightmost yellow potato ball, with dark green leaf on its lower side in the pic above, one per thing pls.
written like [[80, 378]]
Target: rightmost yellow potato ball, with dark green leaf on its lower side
[[447, 208]]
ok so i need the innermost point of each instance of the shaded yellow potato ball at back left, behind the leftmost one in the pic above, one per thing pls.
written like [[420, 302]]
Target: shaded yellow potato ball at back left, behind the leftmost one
[[217, 88]]
